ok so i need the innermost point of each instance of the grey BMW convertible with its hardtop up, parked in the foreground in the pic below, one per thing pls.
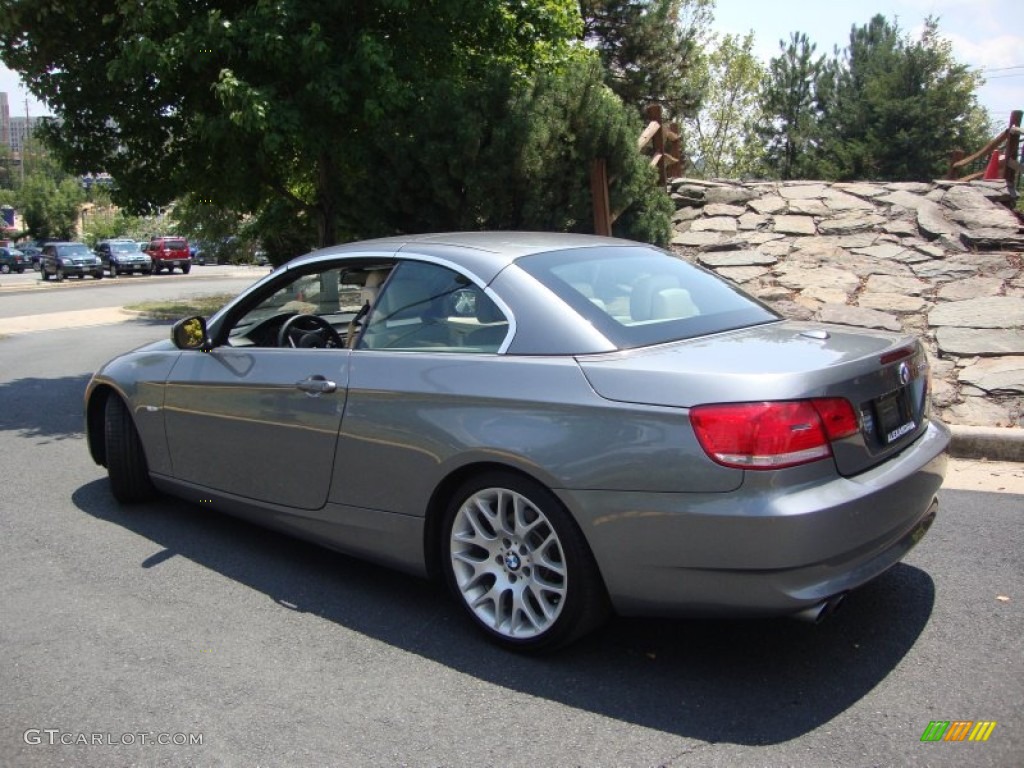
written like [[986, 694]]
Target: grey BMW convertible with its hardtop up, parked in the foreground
[[560, 426]]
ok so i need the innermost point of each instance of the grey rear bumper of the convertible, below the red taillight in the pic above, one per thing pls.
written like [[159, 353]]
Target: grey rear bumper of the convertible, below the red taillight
[[783, 542]]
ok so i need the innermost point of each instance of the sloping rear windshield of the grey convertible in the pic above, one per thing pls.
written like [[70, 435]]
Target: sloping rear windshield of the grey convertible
[[637, 296]]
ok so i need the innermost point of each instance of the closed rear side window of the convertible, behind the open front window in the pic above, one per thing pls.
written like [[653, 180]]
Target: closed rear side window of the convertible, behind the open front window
[[429, 308]]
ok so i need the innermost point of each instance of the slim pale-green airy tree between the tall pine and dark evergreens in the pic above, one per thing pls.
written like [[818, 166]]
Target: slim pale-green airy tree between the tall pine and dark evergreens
[[720, 139]]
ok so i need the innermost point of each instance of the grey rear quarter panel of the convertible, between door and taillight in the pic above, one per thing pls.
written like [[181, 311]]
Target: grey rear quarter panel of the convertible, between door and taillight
[[412, 419]]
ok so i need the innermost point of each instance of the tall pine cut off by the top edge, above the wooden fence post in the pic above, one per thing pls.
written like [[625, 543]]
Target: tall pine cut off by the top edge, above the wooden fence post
[[650, 49]]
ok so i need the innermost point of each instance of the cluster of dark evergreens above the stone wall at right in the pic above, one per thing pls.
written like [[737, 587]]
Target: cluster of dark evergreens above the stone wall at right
[[886, 108]]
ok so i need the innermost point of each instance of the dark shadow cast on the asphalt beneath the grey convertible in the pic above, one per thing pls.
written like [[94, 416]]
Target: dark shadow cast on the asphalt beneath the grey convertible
[[742, 682]]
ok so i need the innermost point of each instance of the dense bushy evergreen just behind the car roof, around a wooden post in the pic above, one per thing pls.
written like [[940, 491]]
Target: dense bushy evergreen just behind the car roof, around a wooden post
[[519, 158]]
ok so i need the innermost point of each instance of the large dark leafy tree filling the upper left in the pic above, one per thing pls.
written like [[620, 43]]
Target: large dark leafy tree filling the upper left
[[244, 103]]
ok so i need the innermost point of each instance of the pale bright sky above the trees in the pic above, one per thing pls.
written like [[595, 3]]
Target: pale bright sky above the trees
[[988, 35]]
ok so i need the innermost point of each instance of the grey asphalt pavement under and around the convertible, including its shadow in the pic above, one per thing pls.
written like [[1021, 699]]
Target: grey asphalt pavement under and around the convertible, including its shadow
[[169, 620]]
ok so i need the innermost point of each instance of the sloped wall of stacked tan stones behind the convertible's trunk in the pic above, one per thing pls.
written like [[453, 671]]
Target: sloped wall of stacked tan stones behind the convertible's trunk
[[942, 261]]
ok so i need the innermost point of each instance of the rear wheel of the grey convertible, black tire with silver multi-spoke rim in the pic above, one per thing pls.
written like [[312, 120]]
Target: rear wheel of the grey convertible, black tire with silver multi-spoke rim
[[549, 588]]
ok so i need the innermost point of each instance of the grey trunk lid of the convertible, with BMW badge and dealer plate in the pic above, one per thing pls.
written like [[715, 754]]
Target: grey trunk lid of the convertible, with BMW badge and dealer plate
[[885, 377]]
